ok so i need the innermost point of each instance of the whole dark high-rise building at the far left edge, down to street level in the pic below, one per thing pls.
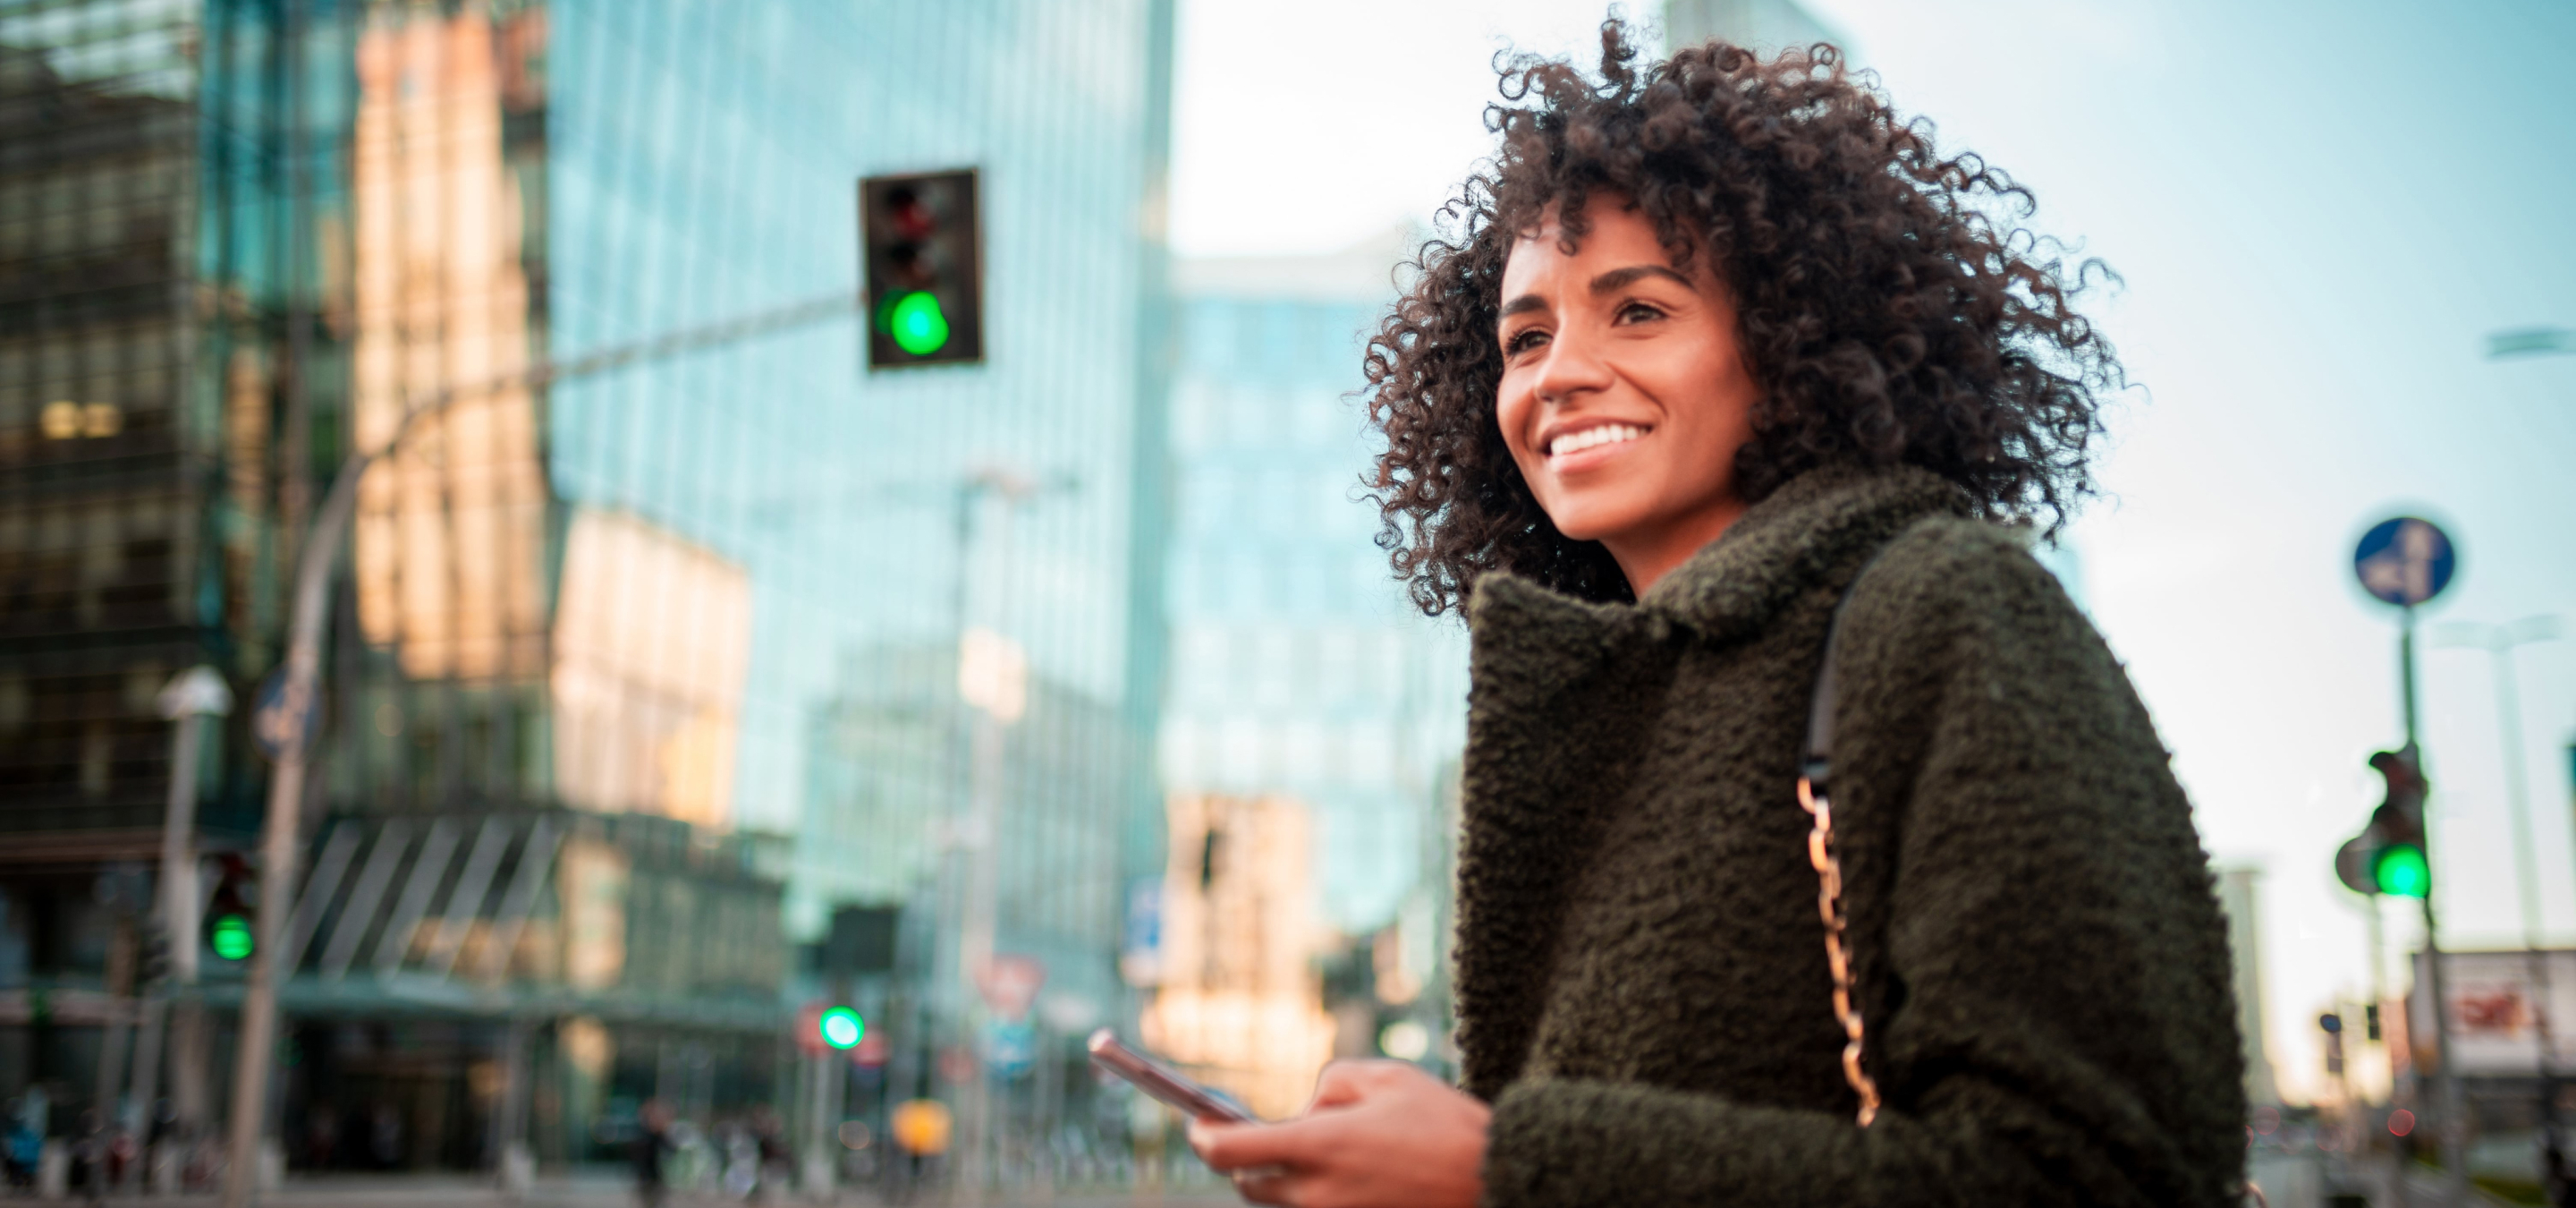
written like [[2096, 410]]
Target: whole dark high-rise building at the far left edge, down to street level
[[146, 326]]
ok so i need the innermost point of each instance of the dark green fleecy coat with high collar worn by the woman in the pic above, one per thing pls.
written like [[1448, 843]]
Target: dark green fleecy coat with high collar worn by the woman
[[1642, 983]]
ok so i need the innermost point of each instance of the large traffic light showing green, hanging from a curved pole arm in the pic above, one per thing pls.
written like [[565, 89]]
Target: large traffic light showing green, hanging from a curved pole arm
[[923, 249]]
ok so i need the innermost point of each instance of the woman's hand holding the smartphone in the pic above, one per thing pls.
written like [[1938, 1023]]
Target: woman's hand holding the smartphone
[[1379, 1135]]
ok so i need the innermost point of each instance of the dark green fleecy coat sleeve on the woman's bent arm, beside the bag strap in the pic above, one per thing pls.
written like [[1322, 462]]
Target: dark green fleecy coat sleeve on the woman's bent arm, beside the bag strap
[[2049, 993]]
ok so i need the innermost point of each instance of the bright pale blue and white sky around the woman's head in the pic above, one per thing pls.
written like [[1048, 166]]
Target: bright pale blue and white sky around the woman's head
[[2320, 212]]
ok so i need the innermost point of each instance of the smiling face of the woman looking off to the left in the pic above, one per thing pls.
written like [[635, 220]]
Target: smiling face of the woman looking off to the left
[[1624, 395]]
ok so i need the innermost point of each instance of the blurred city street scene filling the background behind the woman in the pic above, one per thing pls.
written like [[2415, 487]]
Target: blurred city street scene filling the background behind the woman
[[710, 589]]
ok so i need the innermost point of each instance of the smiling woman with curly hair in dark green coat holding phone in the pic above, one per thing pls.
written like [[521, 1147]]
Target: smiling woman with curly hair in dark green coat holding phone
[[1725, 354]]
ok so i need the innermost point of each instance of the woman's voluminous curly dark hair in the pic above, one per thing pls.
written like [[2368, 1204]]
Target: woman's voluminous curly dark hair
[[1895, 308]]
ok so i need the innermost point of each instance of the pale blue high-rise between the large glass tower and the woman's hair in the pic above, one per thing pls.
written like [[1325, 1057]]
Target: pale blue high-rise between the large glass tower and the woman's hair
[[1300, 668]]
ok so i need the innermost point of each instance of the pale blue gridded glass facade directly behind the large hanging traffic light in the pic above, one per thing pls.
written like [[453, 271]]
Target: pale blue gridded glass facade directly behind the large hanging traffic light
[[705, 164]]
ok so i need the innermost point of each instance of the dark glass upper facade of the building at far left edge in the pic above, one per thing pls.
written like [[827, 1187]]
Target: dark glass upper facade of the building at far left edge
[[128, 540]]
